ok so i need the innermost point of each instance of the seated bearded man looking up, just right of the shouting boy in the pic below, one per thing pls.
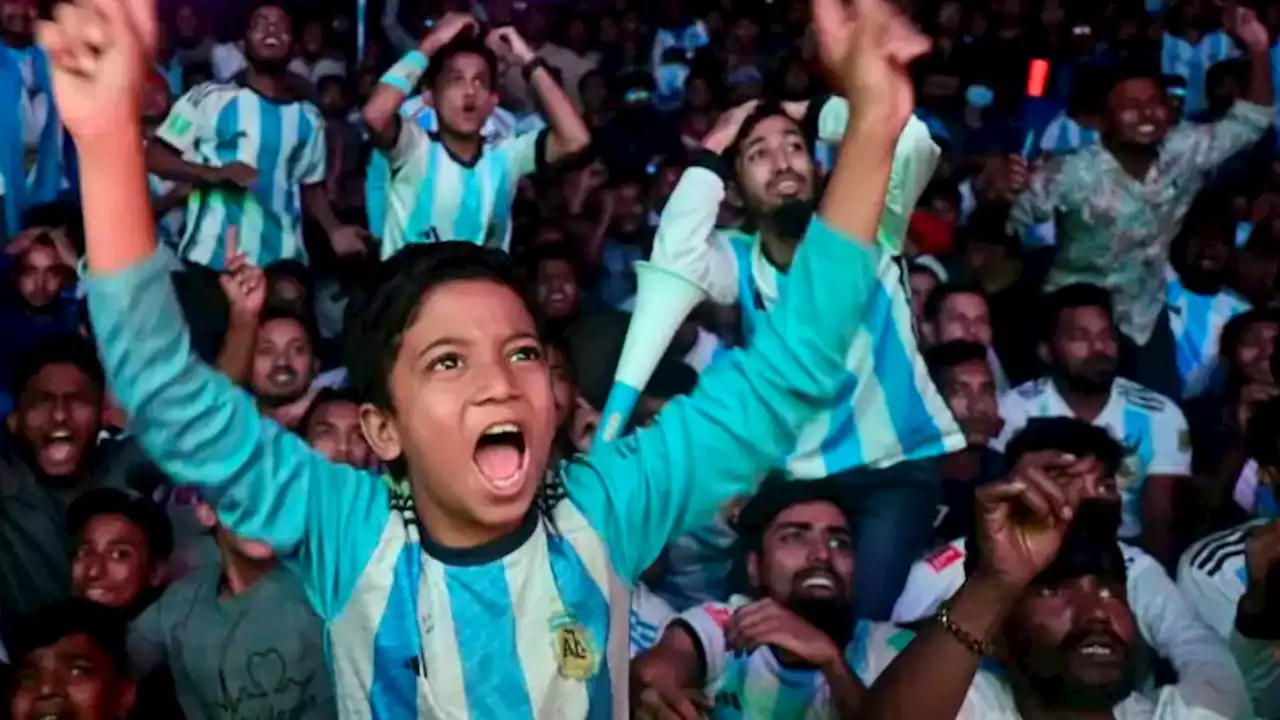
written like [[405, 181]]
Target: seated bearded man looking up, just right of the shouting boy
[[780, 654]]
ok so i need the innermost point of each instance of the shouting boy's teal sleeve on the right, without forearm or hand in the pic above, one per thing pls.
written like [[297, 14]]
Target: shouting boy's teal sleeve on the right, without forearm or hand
[[719, 444]]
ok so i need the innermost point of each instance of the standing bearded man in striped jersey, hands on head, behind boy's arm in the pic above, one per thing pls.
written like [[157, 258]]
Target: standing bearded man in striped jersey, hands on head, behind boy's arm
[[884, 438]]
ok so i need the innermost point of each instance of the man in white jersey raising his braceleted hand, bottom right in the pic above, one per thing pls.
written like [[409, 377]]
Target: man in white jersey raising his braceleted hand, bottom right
[[1043, 626]]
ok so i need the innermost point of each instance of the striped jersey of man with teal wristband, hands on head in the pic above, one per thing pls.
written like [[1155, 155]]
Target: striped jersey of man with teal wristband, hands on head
[[437, 197]]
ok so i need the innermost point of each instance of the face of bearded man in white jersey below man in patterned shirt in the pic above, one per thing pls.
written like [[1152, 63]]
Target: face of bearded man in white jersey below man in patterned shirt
[[1085, 350]]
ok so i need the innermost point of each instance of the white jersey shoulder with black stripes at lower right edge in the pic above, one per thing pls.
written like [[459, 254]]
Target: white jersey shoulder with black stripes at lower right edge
[[1213, 576]]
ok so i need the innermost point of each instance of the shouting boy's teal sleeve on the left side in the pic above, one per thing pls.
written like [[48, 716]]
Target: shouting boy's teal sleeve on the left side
[[204, 431]]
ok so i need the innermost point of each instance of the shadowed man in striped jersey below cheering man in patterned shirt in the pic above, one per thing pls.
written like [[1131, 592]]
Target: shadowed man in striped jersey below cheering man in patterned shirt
[[1200, 299]]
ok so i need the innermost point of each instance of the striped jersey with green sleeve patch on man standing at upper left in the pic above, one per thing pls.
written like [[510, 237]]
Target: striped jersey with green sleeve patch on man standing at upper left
[[217, 125]]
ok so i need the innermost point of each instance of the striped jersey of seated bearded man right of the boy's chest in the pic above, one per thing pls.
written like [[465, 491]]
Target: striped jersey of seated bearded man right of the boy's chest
[[753, 686]]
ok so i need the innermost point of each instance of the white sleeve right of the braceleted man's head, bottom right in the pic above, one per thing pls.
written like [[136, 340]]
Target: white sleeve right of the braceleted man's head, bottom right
[[1208, 677]]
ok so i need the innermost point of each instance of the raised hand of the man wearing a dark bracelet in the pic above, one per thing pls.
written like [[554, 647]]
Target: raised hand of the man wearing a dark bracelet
[[1022, 520]]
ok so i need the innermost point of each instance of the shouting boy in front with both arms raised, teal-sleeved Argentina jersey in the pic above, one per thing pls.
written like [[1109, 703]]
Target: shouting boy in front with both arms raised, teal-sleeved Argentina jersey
[[477, 581]]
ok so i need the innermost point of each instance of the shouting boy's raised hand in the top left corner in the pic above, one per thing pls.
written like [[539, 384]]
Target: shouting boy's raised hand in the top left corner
[[100, 54]]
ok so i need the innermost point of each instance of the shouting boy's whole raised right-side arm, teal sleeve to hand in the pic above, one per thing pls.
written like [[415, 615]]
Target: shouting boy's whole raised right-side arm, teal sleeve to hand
[[747, 412]]
